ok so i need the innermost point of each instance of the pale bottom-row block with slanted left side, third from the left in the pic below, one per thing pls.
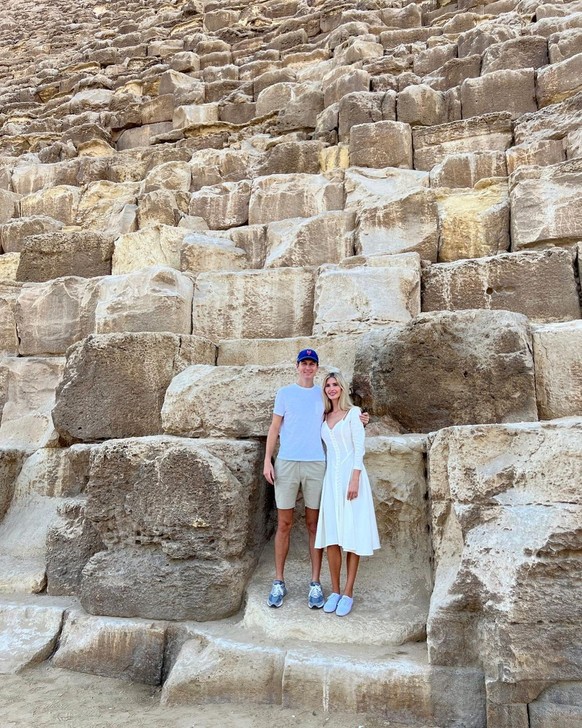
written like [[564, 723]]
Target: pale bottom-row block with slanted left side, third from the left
[[208, 669]]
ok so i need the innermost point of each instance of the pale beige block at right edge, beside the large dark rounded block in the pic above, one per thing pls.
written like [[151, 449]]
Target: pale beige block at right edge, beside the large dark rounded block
[[557, 349]]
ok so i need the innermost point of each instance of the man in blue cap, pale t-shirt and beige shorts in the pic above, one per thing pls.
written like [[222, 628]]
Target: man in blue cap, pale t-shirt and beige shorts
[[297, 419]]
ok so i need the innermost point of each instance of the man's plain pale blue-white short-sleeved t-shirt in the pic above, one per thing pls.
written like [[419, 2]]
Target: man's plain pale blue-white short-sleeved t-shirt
[[302, 411]]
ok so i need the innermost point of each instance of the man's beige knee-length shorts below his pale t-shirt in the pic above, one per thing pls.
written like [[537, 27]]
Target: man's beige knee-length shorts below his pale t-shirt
[[292, 474]]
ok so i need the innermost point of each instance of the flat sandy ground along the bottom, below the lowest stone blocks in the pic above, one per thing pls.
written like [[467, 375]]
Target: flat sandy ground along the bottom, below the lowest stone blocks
[[46, 696]]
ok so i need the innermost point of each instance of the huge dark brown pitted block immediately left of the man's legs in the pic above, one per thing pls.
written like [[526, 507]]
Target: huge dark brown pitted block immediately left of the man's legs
[[191, 513]]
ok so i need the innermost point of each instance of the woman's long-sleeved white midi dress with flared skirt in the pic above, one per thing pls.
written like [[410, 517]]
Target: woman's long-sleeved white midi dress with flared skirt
[[349, 523]]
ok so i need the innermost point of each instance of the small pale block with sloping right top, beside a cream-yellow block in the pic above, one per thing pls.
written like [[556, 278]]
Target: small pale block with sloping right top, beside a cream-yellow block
[[200, 252]]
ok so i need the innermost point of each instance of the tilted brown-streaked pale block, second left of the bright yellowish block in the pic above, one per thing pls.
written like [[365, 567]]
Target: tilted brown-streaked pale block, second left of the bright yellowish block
[[299, 242]]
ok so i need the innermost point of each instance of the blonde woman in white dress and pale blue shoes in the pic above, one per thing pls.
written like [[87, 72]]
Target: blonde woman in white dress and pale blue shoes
[[346, 516]]
